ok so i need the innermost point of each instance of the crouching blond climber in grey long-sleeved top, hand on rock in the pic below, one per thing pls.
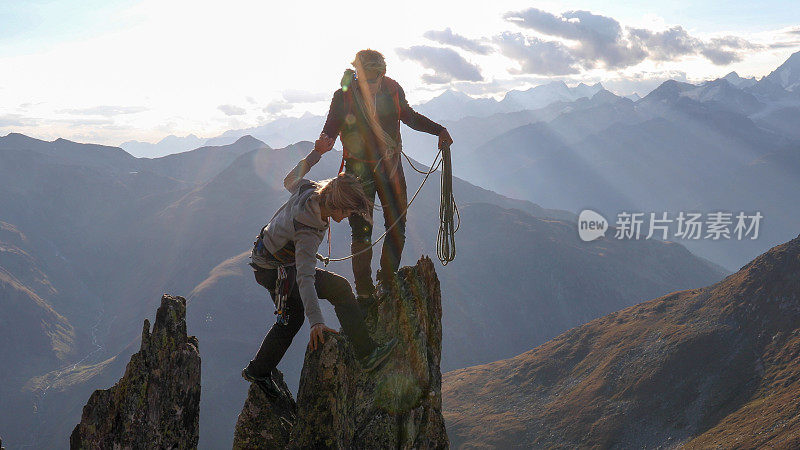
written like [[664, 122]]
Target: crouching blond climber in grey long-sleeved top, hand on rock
[[284, 262]]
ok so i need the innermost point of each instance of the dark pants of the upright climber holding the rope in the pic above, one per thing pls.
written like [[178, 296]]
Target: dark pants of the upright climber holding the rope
[[389, 182]]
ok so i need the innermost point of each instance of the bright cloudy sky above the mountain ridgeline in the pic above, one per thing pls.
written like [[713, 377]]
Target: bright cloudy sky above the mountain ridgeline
[[108, 71]]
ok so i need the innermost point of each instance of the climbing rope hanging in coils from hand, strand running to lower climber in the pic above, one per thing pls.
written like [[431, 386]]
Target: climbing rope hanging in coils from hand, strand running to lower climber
[[448, 211]]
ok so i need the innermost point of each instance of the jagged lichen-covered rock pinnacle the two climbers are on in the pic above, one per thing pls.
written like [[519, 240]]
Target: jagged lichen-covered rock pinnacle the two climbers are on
[[338, 406]]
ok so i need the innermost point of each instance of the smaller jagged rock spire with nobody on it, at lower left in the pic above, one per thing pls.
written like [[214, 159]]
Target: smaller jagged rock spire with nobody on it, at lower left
[[156, 404]]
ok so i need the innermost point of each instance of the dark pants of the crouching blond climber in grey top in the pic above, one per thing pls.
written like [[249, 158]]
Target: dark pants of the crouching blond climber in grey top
[[334, 288]]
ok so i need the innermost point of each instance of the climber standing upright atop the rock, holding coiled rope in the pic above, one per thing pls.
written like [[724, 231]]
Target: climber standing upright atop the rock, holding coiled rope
[[366, 113]]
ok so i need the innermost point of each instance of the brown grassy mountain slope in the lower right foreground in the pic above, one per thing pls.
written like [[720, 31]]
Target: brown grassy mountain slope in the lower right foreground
[[711, 367]]
